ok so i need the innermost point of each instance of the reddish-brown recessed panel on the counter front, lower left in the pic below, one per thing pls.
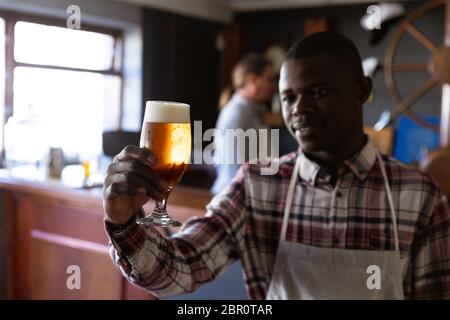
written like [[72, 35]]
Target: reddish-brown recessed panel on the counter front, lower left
[[52, 254]]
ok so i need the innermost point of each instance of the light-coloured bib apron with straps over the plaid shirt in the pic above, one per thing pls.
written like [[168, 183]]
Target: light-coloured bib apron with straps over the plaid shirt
[[309, 272]]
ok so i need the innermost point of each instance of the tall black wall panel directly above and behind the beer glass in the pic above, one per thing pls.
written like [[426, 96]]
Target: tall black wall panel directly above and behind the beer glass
[[181, 62]]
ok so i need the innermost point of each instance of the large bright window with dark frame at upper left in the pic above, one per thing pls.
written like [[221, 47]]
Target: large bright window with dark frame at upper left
[[64, 88]]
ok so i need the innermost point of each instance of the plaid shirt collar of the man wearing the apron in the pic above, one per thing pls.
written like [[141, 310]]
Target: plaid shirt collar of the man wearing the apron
[[359, 164]]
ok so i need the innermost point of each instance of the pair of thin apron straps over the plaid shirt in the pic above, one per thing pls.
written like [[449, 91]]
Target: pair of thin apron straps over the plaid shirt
[[290, 196]]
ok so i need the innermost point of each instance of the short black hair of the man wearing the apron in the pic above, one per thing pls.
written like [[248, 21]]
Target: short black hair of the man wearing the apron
[[326, 43]]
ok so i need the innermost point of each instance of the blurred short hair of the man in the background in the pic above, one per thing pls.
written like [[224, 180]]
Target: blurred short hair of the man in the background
[[252, 63]]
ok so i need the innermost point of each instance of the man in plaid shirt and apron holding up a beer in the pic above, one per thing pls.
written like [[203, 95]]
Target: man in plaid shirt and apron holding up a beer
[[337, 221]]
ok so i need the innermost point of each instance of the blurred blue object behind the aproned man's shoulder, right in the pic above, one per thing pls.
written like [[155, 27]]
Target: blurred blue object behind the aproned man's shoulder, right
[[413, 141]]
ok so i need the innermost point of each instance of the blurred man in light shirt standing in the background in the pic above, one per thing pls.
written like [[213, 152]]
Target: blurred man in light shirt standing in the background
[[254, 81]]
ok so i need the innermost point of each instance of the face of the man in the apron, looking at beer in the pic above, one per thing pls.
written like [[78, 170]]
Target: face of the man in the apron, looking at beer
[[321, 102]]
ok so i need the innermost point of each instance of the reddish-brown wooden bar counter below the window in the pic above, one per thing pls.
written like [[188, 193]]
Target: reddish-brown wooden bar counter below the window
[[50, 227]]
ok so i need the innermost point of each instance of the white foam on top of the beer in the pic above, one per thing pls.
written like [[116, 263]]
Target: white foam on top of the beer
[[166, 111]]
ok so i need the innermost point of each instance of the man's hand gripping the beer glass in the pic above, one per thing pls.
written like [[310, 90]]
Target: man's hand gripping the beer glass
[[130, 183]]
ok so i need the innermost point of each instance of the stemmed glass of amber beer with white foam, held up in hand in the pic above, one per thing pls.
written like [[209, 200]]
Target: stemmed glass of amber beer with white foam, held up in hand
[[166, 131]]
